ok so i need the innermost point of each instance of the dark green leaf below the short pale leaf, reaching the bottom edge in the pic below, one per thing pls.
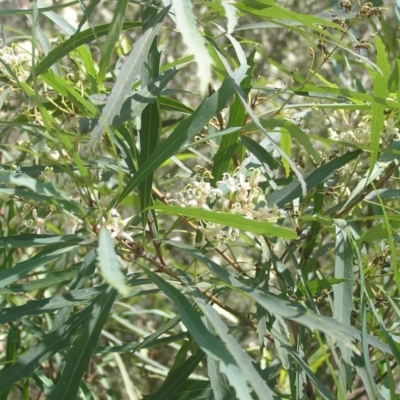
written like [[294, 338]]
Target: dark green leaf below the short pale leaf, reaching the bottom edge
[[78, 358]]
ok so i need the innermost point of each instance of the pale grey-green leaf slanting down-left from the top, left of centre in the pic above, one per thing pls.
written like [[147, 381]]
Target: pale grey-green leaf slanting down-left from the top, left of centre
[[129, 71]]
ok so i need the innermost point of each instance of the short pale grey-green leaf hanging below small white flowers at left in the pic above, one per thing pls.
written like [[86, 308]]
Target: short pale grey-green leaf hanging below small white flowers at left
[[109, 265]]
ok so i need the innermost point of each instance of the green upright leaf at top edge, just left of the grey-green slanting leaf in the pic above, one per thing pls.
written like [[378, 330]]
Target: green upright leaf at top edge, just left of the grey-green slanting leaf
[[112, 38]]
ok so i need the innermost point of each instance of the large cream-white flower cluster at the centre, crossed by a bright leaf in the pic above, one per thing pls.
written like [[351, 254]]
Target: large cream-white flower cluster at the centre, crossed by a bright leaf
[[236, 194]]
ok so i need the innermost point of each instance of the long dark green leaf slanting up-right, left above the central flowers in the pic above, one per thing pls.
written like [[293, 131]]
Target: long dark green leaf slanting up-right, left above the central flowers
[[186, 130]]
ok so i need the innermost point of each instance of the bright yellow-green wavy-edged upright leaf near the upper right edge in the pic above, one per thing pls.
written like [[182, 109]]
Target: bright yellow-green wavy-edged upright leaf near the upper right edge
[[381, 79]]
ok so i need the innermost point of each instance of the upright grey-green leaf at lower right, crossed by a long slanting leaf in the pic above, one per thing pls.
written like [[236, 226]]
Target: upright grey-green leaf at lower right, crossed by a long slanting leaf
[[343, 293]]
